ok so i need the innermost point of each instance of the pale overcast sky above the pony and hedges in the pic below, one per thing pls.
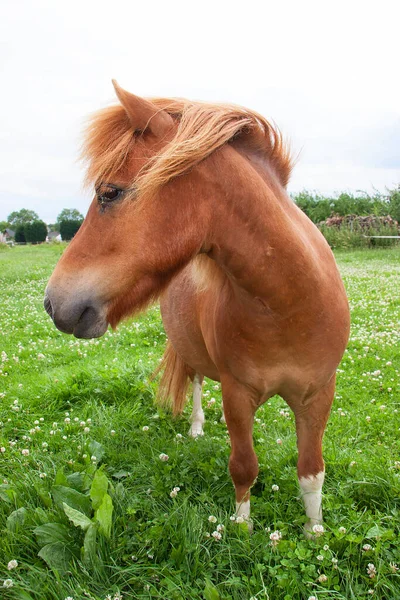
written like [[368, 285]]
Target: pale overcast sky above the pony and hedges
[[326, 72]]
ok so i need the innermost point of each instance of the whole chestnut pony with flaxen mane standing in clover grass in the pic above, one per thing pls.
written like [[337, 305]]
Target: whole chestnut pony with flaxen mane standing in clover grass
[[190, 206]]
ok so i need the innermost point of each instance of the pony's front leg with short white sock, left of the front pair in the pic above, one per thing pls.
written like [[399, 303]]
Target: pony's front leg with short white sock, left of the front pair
[[239, 408]]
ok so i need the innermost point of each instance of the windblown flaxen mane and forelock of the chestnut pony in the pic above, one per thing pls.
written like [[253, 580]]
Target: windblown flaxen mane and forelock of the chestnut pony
[[202, 128]]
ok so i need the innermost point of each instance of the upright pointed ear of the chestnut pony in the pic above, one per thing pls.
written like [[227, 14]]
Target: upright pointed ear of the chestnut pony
[[143, 114]]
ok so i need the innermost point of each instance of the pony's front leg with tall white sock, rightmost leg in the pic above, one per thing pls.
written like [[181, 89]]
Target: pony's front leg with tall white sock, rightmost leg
[[311, 418]]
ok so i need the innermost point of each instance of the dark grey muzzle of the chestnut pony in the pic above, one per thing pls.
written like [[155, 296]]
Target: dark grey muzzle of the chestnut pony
[[81, 317]]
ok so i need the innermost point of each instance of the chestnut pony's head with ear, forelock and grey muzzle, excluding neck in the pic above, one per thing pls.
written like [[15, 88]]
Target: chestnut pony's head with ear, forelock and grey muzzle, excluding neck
[[107, 268]]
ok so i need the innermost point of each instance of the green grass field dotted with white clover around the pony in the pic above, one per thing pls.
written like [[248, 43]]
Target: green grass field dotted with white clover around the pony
[[85, 500]]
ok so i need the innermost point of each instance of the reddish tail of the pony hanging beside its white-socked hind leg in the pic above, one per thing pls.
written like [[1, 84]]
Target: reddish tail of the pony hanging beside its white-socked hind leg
[[174, 381]]
